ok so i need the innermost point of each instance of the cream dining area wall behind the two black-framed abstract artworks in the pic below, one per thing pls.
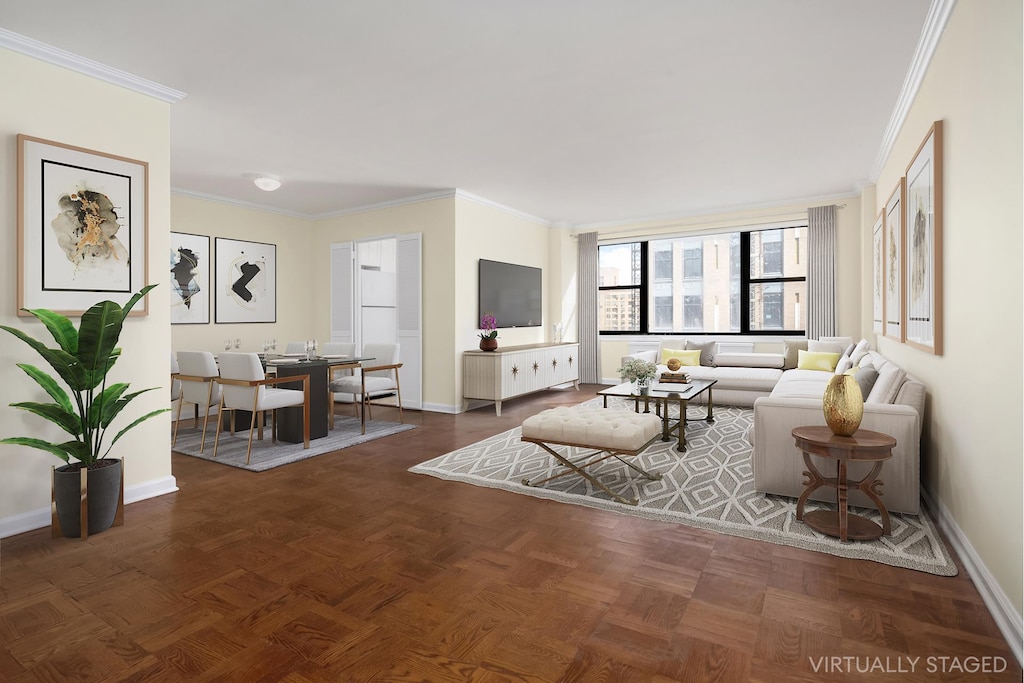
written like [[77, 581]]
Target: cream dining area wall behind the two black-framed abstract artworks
[[293, 237]]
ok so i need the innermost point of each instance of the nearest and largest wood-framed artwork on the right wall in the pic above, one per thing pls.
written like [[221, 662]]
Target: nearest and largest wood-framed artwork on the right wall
[[924, 245]]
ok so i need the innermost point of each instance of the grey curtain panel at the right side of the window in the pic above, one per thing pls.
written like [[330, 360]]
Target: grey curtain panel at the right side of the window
[[822, 272]]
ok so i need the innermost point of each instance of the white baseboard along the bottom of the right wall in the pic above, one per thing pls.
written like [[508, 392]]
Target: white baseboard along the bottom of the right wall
[[1007, 619]]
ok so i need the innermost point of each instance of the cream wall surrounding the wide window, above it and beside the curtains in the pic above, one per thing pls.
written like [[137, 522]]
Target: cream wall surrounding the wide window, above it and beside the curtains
[[848, 263]]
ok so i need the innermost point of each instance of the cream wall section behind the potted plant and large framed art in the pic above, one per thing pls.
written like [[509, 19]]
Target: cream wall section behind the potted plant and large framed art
[[46, 102]]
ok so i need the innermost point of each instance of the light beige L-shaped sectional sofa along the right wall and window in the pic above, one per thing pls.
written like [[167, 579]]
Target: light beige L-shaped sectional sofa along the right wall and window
[[787, 399]]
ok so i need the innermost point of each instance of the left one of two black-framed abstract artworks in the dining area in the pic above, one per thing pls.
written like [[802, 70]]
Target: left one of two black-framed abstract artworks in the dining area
[[190, 279]]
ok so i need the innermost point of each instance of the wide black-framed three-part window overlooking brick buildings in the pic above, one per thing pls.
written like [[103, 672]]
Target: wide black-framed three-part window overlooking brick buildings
[[736, 283]]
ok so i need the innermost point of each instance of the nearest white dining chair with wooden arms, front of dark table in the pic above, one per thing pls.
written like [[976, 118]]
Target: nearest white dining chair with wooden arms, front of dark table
[[246, 388]]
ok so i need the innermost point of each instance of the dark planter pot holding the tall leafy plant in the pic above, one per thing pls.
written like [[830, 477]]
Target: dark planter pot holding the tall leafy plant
[[104, 492]]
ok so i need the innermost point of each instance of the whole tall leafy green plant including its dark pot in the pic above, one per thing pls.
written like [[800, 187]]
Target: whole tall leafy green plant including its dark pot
[[82, 360]]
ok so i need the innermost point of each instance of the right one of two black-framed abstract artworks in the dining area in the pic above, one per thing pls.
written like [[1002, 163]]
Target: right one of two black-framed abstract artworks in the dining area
[[247, 282]]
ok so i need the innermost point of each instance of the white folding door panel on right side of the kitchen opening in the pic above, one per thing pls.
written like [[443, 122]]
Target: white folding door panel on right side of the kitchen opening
[[410, 306]]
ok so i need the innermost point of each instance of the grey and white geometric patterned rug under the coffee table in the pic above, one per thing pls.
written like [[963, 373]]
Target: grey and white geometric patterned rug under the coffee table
[[711, 486]]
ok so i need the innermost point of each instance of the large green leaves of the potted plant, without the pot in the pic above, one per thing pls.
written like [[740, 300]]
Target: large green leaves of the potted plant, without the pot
[[82, 359]]
